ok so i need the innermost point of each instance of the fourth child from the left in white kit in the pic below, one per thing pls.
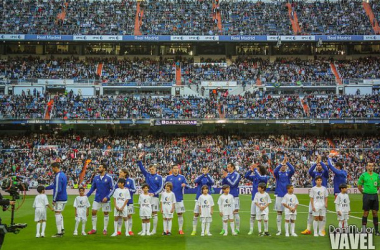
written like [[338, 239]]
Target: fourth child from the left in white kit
[[145, 202]]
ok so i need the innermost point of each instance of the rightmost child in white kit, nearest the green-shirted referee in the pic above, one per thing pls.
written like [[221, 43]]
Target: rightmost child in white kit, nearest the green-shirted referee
[[342, 206]]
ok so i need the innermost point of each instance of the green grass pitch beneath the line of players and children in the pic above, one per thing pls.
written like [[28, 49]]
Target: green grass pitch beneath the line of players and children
[[26, 238]]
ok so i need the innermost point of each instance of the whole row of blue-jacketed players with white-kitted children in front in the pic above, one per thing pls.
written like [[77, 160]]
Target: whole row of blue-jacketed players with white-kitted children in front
[[172, 199]]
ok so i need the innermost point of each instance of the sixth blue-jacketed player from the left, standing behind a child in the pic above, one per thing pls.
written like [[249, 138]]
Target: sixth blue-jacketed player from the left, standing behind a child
[[204, 179]]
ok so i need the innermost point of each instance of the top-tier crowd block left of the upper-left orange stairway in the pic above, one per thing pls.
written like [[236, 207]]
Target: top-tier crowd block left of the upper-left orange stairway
[[68, 17]]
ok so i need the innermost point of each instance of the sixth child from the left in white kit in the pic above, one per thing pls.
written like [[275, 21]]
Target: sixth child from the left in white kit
[[206, 209]]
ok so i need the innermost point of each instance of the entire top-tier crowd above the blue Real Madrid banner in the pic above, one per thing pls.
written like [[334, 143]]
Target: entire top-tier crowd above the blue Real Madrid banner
[[185, 17]]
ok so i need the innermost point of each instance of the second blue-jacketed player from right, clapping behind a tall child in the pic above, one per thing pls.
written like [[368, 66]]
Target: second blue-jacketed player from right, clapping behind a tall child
[[317, 169]]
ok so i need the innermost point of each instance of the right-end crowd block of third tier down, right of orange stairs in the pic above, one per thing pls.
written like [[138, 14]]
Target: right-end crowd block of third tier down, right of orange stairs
[[346, 106]]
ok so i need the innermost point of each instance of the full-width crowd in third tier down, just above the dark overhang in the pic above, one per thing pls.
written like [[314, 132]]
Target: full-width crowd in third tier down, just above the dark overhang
[[247, 106]]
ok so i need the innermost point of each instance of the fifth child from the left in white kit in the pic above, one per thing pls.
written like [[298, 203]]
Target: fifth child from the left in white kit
[[167, 208]]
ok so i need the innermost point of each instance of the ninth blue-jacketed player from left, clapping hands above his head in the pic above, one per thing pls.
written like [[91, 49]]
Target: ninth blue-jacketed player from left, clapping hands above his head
[[283, 173]]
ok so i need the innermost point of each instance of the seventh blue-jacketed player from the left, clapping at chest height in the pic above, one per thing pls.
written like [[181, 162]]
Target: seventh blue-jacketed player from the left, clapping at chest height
[[232, 179]]
